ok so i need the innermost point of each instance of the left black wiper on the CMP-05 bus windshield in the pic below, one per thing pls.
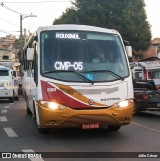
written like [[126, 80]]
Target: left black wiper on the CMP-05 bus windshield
[[65, 71]]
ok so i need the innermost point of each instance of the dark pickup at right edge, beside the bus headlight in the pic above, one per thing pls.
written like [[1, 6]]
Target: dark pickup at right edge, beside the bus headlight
[[146, 96]]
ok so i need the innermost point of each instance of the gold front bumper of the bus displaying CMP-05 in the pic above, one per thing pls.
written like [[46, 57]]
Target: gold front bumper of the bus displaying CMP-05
[[77, 118]]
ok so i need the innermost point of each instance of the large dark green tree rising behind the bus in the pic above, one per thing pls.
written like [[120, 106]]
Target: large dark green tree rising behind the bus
[[126, 16]]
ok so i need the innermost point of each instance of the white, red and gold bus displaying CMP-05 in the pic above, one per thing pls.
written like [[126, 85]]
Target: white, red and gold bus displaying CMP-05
[[77, 76]]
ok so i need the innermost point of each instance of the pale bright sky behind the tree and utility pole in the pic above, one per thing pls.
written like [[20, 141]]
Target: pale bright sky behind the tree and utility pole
[[47, 10]]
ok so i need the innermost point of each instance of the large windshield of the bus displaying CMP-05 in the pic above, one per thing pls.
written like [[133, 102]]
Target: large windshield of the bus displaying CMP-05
[[82, 56]]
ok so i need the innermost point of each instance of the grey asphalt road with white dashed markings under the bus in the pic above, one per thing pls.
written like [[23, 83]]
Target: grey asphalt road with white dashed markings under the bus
[[18, 133]]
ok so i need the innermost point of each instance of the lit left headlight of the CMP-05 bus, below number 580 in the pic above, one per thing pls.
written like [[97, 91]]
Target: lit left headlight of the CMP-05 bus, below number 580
[[52, 105]]
